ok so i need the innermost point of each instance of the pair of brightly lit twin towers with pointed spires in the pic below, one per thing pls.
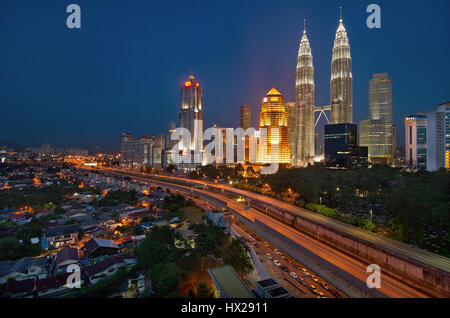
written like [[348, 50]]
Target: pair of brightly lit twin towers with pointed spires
[[341, 106]]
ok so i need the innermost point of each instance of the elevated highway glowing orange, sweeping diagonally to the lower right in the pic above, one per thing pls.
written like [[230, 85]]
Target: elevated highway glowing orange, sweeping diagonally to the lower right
[[412, 272]]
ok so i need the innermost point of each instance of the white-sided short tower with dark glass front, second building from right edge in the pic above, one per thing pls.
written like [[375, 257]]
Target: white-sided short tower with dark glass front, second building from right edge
[[416, 141]]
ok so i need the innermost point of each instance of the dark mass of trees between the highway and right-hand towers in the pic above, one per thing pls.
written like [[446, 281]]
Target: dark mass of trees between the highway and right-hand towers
[[417, 204]]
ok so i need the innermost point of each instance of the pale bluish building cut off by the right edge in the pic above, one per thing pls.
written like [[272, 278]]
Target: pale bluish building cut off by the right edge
[[438, 137]]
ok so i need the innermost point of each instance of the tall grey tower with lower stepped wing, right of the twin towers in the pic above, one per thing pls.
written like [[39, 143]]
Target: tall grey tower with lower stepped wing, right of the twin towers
[[378, 132]]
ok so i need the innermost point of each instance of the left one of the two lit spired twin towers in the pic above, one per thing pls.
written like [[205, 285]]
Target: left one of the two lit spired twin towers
[[302, 143]]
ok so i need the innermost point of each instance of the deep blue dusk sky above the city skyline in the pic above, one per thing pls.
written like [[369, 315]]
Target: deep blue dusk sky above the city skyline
[[122, 71]]
